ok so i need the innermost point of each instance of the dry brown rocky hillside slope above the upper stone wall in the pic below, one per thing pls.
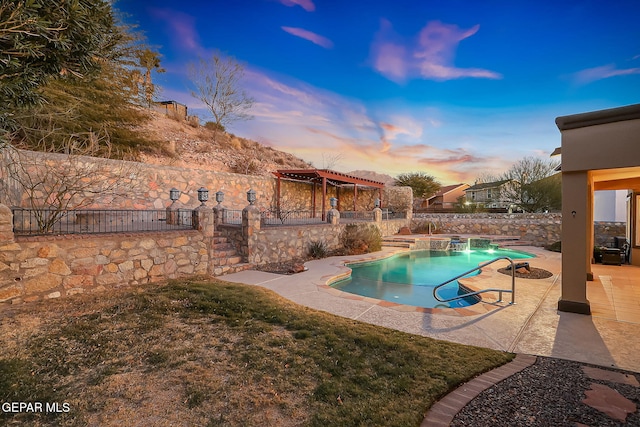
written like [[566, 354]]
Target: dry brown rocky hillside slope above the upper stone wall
[[196, 147]]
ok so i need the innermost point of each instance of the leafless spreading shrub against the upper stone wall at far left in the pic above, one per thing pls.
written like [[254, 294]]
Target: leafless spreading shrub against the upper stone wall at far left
[[73, 180]]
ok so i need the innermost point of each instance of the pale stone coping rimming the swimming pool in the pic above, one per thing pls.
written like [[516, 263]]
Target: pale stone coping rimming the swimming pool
[[483, 306]]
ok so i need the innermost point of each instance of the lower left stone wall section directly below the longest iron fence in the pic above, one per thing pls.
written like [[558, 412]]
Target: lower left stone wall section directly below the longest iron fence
[[33, 269]]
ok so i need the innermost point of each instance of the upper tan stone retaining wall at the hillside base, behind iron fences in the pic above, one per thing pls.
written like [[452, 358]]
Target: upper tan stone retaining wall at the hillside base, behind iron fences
[[147, 186]]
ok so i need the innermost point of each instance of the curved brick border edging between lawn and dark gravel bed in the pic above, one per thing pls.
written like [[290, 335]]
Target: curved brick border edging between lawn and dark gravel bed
[[444, 410]]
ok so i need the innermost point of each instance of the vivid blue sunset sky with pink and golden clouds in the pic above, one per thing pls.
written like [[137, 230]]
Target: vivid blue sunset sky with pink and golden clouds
[[455, 89]]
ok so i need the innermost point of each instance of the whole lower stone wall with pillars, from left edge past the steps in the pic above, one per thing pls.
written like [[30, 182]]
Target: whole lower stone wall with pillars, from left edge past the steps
[[34, 268]]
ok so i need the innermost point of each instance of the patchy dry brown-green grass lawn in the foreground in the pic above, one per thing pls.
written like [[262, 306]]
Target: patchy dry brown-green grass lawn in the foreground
[[211, 353]]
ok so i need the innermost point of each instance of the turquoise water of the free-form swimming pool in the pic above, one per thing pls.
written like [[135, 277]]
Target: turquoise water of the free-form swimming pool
[[410, 278]]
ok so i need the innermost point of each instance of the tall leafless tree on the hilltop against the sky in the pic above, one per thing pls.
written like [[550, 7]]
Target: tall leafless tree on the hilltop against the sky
[[218, 83]]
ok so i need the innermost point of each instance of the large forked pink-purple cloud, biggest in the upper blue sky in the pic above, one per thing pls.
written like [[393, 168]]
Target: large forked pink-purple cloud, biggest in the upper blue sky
[[431, 56]]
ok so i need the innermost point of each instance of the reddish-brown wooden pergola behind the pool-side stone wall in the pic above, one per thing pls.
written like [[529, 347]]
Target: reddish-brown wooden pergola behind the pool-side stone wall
[[325, 177]]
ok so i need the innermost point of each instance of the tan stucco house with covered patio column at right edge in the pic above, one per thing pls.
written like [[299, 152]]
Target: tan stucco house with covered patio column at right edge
[[600, 151]]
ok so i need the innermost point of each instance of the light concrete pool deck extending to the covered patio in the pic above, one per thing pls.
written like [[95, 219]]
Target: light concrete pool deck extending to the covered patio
[[532, 326]]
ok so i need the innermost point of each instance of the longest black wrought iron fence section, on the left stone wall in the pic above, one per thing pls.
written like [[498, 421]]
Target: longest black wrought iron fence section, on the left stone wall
[[93, 221]]
